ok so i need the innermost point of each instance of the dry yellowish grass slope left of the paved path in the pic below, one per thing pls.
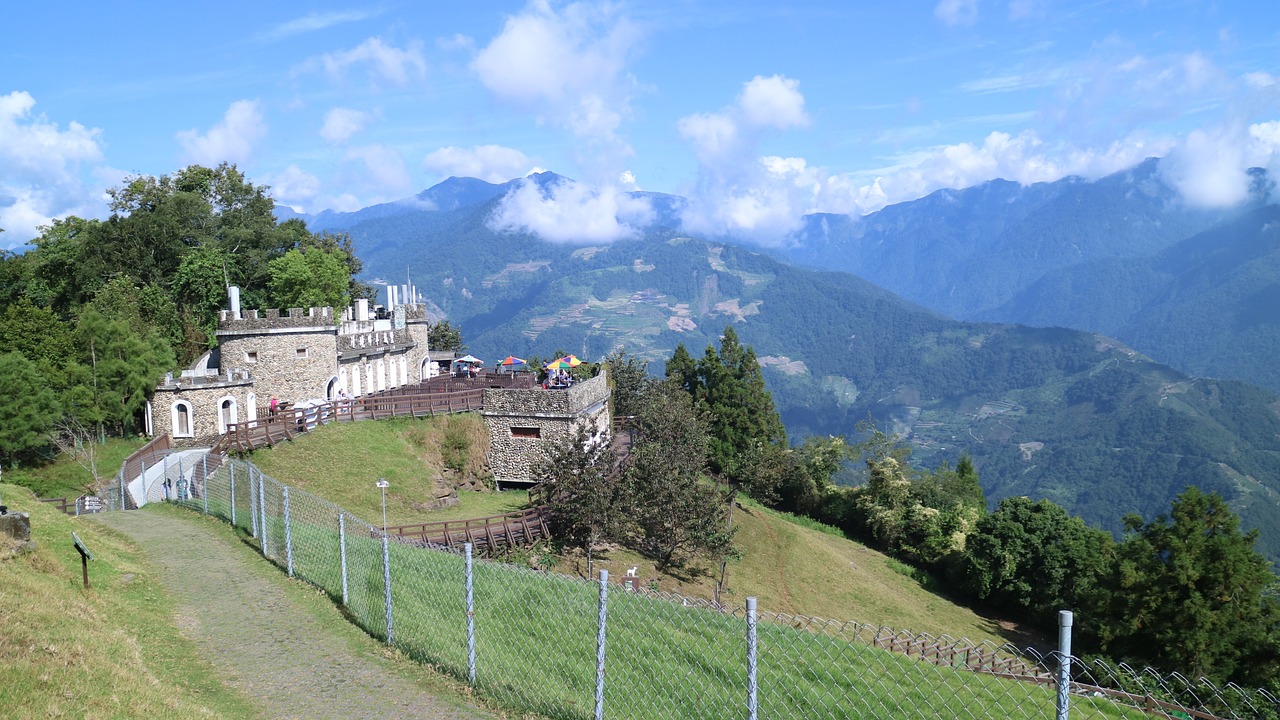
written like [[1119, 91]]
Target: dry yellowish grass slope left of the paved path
[[109, 651]]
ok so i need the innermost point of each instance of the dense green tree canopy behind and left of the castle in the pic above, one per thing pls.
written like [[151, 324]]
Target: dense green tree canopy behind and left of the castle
[[102, 309]]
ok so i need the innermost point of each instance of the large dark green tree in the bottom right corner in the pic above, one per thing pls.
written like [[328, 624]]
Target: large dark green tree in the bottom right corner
[[1191, 594]]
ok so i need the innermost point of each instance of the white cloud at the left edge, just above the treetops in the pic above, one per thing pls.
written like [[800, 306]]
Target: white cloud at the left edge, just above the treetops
[[42, 170]]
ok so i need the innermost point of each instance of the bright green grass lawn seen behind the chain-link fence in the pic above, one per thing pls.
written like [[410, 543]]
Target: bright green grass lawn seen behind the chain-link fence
[[537, 639]]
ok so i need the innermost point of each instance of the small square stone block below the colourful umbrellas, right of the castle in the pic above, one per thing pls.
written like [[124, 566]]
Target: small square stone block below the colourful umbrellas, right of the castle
[[524, 425]]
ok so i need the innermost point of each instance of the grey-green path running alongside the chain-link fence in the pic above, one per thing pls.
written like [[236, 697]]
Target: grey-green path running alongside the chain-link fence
[[271, 646]]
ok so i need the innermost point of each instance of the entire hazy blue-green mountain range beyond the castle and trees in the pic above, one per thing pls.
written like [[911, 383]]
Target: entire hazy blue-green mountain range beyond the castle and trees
[[1073, 416]]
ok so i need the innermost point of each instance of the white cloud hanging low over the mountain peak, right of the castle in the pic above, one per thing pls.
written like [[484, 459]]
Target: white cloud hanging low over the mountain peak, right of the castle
[[572, 212]]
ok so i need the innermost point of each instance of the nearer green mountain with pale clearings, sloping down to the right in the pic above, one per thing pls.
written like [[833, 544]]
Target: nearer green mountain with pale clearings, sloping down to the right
[[1048, 413]]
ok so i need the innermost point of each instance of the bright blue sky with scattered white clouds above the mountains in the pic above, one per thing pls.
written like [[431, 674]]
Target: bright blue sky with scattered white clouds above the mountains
[[757, 112]]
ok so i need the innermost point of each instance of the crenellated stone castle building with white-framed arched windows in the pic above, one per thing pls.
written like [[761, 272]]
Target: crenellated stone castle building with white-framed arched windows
[[298, 357]]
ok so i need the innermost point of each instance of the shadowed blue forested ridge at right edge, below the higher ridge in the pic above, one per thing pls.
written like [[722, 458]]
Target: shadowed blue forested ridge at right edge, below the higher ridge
[[1209, 304]]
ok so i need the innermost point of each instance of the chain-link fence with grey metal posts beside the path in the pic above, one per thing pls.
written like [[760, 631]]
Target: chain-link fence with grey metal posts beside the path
[[573, 649]]
